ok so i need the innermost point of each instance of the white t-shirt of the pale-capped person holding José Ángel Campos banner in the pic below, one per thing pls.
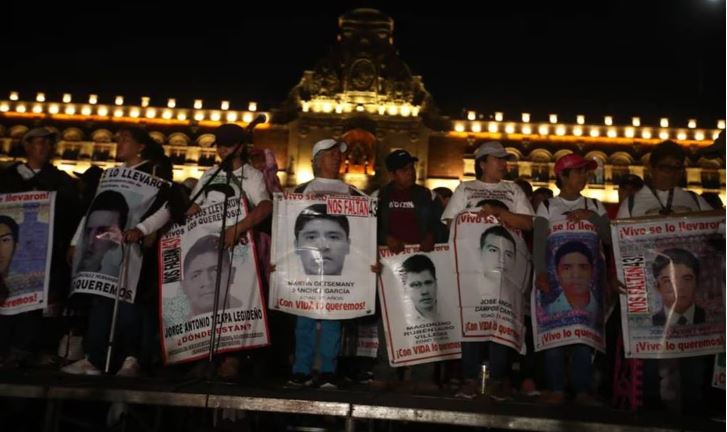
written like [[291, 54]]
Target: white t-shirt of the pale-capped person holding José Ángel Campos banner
[[469, 194]]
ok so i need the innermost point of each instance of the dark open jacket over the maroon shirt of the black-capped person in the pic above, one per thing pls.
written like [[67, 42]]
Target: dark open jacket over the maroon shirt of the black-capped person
[[423, 208]]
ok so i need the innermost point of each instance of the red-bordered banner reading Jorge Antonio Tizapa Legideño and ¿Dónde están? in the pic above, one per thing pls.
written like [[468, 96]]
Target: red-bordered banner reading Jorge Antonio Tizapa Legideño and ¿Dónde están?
[[189, 266]]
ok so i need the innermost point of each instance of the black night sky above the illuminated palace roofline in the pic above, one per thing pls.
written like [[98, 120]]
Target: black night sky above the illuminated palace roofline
[[647, 58]]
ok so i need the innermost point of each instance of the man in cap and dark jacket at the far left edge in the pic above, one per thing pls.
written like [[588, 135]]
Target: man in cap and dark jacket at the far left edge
[[22, 333]]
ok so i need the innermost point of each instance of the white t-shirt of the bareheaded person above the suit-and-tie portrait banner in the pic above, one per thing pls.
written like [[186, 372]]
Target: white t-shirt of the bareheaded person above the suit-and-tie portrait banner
[[645, 203]]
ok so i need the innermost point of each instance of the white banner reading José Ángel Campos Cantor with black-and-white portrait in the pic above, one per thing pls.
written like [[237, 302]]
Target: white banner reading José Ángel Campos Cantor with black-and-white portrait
[[493, 268]]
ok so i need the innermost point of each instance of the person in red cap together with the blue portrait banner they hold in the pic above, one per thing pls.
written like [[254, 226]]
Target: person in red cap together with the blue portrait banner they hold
[[568, 228]]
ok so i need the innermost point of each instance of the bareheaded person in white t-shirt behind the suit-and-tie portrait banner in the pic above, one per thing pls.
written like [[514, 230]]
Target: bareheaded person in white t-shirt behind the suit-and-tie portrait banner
[[662, 195]]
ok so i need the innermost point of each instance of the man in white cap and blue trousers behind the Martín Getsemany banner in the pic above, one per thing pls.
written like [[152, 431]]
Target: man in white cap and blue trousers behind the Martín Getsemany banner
[[326, 159]]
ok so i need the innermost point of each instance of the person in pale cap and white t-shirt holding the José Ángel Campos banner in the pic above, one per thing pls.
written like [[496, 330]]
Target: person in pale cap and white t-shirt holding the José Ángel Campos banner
[[513, 210]]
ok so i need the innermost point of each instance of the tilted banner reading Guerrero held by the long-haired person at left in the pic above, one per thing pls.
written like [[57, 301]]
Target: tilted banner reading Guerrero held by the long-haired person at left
[[123, 197]]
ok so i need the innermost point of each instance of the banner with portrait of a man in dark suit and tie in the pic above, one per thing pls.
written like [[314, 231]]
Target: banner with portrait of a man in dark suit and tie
[[672, 271]]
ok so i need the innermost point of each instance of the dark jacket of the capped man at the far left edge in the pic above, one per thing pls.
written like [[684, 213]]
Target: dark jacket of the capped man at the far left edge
[[66, 217]]
